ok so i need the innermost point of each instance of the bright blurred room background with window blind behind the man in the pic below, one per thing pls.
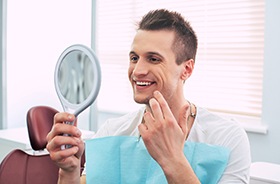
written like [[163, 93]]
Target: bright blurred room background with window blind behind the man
[[236, 72]]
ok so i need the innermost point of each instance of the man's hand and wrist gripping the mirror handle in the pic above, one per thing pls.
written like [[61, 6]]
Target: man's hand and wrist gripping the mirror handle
[[68, 160]]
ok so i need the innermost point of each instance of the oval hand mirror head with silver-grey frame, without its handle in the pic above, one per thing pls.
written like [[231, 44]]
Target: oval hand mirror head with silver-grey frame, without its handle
[[77, 78]]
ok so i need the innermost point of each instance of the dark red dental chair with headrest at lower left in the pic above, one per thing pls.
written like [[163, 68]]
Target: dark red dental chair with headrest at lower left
[[34, 166]]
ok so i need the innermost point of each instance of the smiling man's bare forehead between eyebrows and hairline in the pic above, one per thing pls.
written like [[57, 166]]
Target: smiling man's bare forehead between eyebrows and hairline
[[153, 41]]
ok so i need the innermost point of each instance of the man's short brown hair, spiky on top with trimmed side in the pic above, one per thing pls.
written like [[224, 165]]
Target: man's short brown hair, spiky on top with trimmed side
[[185, 42]]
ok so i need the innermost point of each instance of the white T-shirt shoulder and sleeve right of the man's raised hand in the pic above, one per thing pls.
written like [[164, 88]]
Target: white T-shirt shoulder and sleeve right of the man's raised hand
[[214, 129]]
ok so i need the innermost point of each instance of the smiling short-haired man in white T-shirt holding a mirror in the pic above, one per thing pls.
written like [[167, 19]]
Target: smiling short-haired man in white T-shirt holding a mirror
[[162, 58]]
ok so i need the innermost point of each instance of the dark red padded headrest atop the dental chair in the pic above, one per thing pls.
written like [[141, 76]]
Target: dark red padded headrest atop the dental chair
[[39, 123]]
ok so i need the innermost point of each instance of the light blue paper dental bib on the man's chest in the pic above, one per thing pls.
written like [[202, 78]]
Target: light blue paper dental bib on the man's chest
[[125, 160]]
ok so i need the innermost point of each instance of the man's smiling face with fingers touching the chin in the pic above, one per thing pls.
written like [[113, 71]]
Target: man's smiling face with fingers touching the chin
[[152, 66]]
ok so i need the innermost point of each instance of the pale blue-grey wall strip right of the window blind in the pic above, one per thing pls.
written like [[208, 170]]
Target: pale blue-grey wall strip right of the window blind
[[267, 147]]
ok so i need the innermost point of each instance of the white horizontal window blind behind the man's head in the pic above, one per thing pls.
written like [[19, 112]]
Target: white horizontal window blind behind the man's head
[[228, 70]]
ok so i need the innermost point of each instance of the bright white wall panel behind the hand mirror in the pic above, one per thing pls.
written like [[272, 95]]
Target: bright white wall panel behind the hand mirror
[[37, 33]]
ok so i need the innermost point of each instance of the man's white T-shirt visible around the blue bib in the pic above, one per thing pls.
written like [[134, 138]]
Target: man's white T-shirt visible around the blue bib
[[207, 128]]
